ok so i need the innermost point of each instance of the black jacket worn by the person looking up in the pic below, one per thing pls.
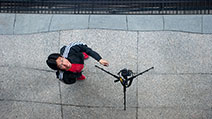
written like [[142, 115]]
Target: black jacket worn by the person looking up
[[75, 56]]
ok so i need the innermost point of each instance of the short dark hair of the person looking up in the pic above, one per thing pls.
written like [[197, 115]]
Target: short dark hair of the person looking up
[[51, 61]]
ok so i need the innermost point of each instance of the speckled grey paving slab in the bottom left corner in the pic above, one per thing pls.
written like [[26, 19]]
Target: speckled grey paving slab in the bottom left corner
[[23, 110]]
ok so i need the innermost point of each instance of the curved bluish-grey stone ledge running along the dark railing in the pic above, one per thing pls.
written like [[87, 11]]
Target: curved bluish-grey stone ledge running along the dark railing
[[38, 23]]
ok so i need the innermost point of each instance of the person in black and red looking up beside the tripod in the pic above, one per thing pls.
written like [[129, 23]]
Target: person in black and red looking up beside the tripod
[[70, 61]]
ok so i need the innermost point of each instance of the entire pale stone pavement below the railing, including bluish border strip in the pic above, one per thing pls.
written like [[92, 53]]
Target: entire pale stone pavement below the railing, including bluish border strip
[[178, 88]]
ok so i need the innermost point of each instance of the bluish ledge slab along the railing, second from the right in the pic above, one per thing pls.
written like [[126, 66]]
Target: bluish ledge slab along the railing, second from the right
[[187, 23]]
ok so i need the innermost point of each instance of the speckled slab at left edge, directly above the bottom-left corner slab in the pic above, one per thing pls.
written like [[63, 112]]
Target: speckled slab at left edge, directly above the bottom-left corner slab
[[29, 85]]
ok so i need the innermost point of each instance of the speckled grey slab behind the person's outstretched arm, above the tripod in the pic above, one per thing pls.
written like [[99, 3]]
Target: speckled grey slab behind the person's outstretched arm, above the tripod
[[118, 47]]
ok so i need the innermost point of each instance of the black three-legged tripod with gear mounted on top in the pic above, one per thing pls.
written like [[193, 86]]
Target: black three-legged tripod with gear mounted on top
[[124, 80]]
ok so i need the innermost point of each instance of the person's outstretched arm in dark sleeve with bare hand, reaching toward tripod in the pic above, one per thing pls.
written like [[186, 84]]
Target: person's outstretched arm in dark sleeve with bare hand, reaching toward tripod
[[93, 54]]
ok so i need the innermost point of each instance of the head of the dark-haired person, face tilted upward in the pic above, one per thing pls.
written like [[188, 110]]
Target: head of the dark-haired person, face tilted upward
[[55, 61]]
